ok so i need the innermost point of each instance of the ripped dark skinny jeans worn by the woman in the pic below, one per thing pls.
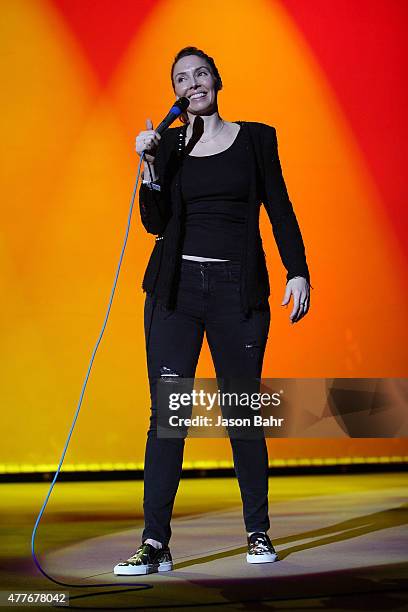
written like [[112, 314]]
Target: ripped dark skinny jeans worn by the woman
[[208, 299]]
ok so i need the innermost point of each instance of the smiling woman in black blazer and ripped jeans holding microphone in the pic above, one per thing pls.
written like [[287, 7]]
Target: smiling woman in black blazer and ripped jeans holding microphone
[[202, 189]]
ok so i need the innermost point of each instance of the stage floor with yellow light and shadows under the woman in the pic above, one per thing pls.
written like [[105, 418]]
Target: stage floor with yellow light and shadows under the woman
[[341, 539]]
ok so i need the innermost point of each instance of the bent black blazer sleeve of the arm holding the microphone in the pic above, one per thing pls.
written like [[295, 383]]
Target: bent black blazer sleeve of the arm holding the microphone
[[154, 204]]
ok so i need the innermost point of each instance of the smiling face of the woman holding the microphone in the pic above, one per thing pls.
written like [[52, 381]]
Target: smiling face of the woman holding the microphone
[[191, 76]]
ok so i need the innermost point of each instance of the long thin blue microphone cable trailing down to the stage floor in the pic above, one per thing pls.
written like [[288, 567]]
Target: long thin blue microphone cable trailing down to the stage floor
[[108, 584]]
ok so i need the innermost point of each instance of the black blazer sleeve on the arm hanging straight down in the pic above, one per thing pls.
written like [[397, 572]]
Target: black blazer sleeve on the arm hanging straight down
[[280, 210]]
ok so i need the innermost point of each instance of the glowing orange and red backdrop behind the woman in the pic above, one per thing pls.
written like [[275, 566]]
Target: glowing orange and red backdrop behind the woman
[[79, 79]]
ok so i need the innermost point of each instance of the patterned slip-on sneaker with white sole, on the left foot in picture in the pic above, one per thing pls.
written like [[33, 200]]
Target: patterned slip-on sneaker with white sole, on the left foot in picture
[[146, 560]]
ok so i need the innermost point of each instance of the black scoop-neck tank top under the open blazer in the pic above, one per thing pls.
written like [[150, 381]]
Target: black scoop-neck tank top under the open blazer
[[215, 190]]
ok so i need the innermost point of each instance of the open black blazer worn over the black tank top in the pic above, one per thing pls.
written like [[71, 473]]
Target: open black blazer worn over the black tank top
[[161, 213]]
